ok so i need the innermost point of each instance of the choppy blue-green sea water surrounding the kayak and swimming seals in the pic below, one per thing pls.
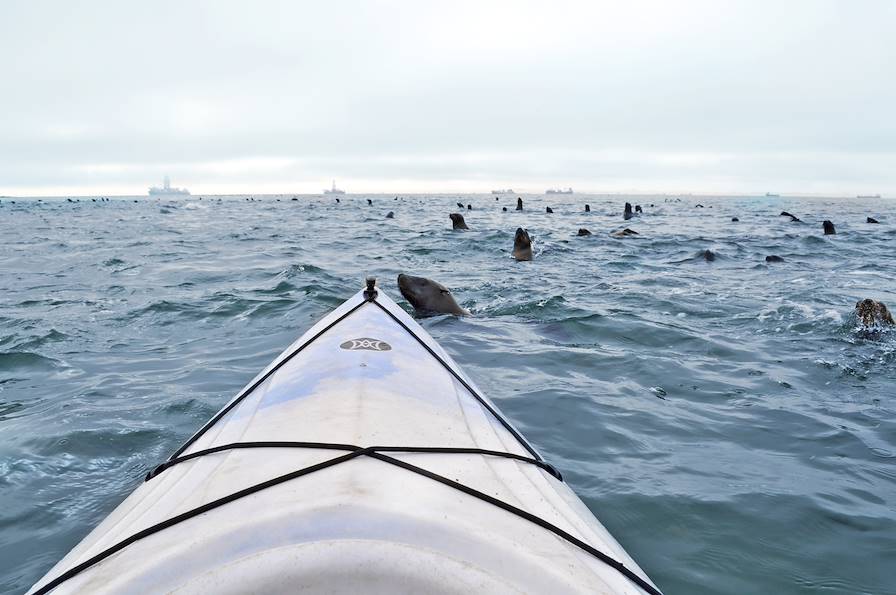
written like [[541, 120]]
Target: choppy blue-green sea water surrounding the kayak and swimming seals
[[725, 420]]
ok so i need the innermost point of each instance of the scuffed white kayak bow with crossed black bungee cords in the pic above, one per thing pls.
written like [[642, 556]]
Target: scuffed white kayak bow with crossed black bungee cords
[[362, 459]]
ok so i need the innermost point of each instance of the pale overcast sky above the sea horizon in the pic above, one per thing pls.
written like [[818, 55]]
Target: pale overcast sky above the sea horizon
[[231, 97]]
